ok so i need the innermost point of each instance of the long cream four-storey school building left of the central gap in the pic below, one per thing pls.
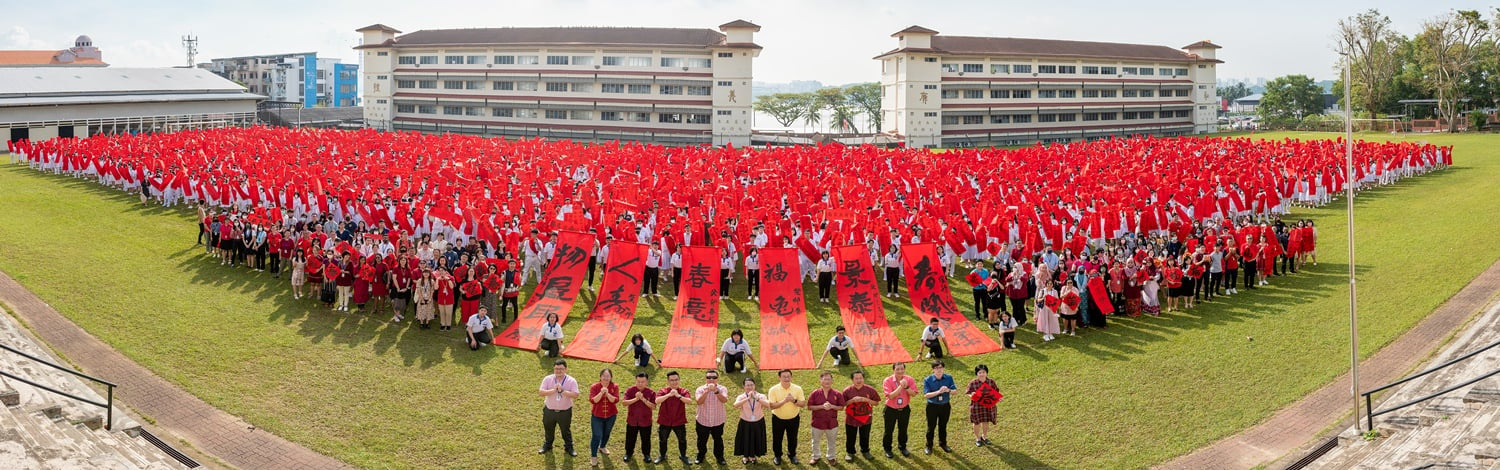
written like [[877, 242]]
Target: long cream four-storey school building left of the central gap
[[662, 86]]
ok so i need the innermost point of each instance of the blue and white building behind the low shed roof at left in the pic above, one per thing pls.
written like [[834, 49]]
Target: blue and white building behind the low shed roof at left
[[296, 79]]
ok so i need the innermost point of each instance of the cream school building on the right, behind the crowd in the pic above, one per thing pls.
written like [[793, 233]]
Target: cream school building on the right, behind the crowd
[[979, 92]]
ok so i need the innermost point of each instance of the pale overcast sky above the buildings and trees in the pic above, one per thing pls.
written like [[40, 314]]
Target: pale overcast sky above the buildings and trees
[[830, 41]]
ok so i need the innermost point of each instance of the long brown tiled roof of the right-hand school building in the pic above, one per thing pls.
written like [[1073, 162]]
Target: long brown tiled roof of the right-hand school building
[[974, 46]]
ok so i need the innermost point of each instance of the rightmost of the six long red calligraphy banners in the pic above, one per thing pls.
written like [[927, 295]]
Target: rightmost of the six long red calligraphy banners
[[932, 300]]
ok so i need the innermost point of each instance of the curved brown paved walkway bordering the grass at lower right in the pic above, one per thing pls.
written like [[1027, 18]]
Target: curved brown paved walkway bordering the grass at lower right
[[1322, 412]]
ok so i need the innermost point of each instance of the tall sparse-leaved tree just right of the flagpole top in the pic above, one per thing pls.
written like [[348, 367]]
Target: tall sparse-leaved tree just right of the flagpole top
[[1373, 50]]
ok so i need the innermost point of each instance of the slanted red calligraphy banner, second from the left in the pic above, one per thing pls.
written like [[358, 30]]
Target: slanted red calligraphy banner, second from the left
[[616, 306]]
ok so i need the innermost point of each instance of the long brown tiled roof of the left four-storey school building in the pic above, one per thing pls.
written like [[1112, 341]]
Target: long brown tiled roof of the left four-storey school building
[[628, 37]]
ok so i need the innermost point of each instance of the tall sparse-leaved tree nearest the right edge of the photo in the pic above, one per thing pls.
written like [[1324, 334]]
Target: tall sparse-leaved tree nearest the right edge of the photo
[[1448, 49]]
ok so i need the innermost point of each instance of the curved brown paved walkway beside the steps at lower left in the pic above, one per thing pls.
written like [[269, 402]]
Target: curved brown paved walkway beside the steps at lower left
[[175, 411]]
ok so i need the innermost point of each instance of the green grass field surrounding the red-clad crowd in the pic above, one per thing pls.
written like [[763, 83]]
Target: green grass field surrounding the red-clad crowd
[[386, 396]]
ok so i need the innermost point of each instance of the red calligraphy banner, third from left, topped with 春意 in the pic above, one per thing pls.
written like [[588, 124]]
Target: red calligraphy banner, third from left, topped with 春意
[[692, 342]]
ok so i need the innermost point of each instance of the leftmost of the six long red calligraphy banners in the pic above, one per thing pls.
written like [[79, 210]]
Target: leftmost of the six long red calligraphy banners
[[554, 295]]
